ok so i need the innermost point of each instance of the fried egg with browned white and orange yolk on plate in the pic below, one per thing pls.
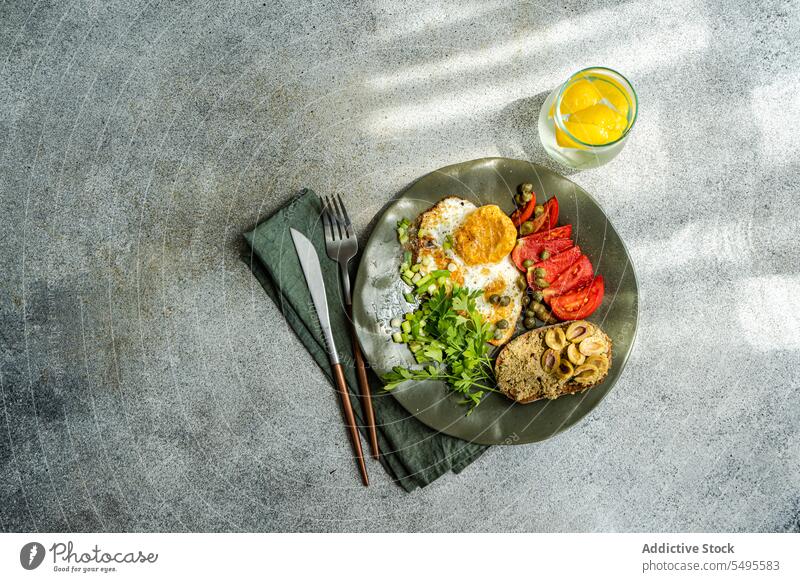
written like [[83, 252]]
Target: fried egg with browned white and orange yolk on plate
[[474, 244]]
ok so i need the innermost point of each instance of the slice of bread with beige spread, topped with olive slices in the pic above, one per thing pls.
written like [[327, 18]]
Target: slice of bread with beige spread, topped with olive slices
[[522, 377]]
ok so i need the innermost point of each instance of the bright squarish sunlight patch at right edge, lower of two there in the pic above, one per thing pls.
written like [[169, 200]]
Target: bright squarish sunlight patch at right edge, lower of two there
[[769, 312]]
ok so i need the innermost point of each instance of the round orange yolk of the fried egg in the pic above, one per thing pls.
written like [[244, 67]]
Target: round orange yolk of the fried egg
[[487, 235]]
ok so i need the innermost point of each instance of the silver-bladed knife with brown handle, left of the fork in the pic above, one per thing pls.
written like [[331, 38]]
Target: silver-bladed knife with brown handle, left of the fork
[[309, 263]]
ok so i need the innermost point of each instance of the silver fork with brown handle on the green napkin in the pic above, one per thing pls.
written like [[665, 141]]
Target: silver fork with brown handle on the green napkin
[[341, 245]]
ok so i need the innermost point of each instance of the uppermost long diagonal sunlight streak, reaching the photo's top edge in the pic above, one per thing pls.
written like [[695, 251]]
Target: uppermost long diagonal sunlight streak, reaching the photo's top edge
[[592, 25]]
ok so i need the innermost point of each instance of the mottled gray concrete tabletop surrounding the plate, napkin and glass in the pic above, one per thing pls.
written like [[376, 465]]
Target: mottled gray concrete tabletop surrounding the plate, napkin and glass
[[149, 384]]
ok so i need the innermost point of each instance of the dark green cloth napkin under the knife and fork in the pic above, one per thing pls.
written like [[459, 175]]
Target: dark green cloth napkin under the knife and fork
[[412, 453]]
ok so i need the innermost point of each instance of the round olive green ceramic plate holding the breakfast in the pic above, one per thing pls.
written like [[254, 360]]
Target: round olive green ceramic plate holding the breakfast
[[379, 298]]
